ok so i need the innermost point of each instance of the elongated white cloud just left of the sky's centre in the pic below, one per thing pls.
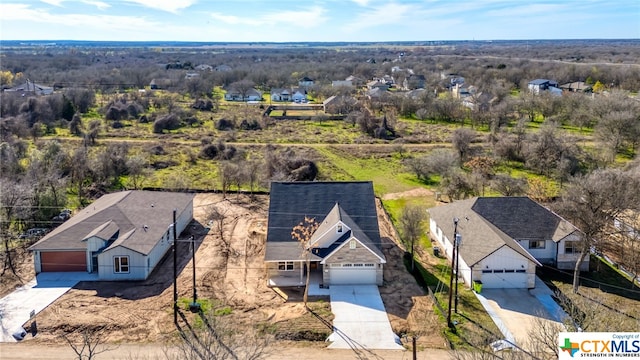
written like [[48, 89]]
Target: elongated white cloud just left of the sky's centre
[[301, 18]]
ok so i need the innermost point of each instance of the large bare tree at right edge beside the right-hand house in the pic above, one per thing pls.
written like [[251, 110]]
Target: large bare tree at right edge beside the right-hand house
[[594, 202]]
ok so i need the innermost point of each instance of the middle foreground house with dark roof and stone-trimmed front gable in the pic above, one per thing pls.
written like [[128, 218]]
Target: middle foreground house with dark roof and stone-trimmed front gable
[[345, 249]]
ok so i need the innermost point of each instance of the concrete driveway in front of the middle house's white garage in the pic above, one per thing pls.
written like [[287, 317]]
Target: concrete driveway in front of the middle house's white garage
[[360, 319]]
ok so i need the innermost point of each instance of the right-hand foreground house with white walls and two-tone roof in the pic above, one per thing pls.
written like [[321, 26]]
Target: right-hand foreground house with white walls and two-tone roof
[[503, 239]]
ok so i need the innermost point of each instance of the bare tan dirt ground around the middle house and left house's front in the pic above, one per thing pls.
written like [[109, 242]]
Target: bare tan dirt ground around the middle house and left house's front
[[229, 272]]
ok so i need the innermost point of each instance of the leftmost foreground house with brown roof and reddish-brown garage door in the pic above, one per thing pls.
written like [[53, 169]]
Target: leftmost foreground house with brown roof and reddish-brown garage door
[[121, 236]]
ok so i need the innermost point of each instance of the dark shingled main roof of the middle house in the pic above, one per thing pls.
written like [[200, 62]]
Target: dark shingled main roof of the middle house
[[290, 202]]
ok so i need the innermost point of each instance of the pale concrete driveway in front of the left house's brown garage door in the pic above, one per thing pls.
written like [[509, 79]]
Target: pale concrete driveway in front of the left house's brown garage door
[[36, 295]]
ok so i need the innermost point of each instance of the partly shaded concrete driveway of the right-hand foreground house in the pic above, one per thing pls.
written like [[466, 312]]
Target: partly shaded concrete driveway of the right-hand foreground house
[[515, 310]]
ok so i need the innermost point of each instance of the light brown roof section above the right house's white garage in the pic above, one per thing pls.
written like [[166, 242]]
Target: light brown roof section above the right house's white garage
[[480, 238]]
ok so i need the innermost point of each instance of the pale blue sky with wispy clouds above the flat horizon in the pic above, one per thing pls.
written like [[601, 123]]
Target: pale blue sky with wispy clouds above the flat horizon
[[317, 21]]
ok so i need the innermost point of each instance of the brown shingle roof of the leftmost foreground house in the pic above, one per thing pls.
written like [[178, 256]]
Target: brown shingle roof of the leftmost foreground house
[[139, 219]]
